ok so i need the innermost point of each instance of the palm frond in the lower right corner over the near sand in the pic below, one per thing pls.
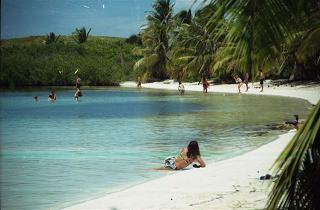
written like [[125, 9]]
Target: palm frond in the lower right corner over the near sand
[[298, 167]]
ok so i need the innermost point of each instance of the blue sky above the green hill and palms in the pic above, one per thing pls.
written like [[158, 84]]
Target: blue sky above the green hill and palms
[[116, 18]]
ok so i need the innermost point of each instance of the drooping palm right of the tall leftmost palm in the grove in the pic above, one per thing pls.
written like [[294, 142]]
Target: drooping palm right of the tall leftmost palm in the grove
[[193, 48]]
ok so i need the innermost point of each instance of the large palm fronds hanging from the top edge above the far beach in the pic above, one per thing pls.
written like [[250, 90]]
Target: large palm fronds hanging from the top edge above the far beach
[[252, 32]]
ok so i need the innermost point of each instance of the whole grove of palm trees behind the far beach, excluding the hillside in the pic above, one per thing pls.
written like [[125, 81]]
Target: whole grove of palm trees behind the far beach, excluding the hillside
[[227, 37]]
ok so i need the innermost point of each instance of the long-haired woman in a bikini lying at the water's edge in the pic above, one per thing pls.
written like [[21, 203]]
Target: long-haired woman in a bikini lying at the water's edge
[[186, 157]]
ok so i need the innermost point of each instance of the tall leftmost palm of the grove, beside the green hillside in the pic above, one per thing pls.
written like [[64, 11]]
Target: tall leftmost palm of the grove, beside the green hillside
[[155, 38]]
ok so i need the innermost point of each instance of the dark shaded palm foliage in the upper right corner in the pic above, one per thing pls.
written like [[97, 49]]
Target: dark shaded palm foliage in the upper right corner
[[301, 52]]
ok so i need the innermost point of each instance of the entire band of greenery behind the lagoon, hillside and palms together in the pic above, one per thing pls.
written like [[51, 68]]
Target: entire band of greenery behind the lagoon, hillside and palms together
[[222, 38]]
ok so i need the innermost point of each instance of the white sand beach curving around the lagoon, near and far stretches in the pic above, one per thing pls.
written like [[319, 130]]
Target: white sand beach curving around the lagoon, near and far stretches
[[228, 184]]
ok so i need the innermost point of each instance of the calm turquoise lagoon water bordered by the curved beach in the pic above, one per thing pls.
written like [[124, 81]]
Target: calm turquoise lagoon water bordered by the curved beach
[[57, 154]]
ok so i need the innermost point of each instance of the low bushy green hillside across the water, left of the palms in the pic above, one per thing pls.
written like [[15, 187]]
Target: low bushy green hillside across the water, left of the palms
[[53, 60]]
